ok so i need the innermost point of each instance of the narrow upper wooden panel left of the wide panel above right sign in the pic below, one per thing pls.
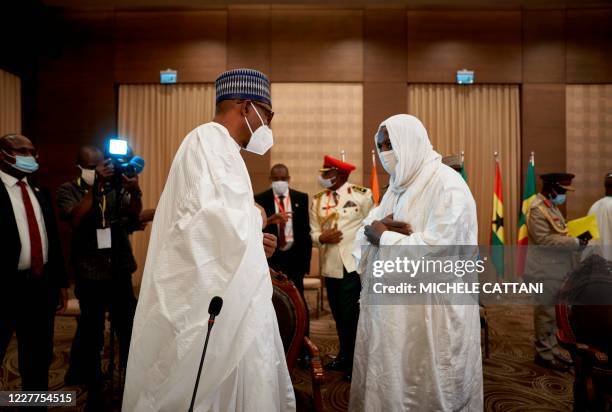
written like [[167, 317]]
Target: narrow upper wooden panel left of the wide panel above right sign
[[384, 45]]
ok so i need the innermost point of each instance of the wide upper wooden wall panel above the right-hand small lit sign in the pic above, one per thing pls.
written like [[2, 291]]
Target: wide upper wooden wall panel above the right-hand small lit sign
[[442, 42]]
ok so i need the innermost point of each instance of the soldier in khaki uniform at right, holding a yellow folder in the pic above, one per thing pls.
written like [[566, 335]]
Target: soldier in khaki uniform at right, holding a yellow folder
[[549, 259]]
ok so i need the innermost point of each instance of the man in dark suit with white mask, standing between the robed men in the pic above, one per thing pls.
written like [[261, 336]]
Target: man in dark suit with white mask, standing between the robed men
[[287, 212]]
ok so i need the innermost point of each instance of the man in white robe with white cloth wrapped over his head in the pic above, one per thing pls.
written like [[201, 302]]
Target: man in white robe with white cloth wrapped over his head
[[416, 357]]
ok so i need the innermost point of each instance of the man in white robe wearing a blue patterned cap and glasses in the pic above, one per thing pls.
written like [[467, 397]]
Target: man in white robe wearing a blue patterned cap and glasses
[[207, 241]]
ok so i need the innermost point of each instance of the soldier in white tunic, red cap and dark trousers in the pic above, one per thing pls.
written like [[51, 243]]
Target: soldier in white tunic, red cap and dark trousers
[[335, 217]]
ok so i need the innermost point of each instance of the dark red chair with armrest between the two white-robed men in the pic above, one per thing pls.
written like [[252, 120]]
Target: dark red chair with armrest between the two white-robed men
[[292, 322]]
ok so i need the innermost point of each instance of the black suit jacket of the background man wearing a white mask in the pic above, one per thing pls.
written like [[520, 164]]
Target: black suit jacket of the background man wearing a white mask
[[297, 259]]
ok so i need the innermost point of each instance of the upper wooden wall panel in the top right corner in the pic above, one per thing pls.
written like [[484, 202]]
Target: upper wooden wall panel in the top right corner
[[589, 46]]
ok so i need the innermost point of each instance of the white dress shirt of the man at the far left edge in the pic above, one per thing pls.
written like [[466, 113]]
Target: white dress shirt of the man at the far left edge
[[14, 191]]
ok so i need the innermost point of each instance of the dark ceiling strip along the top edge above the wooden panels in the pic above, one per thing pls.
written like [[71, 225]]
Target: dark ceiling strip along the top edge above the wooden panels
[[420, 4]]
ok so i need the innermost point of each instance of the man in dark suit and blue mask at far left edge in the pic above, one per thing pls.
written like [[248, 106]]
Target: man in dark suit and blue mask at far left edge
[[33, 281]]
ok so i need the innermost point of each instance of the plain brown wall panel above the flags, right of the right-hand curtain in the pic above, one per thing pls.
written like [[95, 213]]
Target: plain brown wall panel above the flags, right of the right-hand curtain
[[543, 120]]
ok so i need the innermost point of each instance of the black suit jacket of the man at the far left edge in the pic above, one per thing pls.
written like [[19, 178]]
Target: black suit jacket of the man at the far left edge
[[10, 243]]
